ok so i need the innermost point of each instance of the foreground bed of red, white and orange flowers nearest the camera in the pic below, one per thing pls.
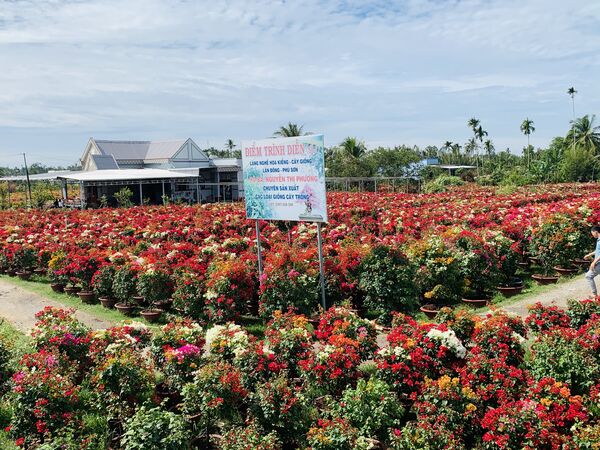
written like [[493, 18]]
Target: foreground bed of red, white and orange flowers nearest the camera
[[463, 382]]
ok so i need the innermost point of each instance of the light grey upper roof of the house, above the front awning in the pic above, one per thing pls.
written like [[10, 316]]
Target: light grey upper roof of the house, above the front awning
[[140, 150]]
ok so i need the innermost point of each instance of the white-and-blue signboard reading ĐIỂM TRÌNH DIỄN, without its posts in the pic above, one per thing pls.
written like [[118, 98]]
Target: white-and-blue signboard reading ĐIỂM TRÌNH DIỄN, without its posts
[[284, 179]]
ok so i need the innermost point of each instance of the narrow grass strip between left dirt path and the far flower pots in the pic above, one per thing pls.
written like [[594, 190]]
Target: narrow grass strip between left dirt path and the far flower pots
[[41, 286]]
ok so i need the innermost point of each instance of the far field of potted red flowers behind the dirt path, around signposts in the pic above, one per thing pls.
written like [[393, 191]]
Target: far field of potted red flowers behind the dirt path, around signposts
[[382, 252]]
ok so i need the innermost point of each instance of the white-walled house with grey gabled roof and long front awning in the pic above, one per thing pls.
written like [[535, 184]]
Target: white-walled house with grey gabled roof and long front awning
[[178, 169]]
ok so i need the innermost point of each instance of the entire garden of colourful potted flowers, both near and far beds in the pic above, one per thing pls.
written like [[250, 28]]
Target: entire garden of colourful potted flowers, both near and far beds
[[309, 379]]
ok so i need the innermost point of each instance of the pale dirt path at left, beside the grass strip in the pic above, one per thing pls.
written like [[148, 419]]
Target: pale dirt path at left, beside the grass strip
[[19, 306]]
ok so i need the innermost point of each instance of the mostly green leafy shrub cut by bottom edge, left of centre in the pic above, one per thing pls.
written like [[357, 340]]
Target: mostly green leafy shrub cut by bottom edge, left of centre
[[155, 429]]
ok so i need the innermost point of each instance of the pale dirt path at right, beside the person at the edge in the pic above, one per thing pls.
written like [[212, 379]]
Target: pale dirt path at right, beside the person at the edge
[[577, 289]]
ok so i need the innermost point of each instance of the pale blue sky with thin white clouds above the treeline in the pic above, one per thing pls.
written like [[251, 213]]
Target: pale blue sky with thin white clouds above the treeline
[[387, 72]]
